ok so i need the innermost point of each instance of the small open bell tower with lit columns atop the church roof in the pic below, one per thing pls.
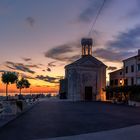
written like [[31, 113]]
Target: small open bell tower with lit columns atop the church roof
[[86, 46]]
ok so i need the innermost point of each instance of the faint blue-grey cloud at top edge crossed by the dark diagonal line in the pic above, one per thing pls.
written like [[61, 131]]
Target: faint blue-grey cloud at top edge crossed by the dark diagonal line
[[91, 10]]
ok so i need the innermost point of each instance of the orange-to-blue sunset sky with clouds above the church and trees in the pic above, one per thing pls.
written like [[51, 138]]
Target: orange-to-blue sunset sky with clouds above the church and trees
[[39, 37]]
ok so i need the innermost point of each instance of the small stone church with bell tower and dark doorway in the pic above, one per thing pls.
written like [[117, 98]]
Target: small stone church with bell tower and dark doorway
[[85, 78]]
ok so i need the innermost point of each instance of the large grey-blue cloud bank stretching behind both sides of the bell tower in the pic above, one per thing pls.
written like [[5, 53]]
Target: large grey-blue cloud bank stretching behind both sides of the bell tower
[[117, 49]]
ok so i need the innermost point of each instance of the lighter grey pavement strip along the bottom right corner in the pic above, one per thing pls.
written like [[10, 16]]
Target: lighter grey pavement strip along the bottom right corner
[[128, 133]]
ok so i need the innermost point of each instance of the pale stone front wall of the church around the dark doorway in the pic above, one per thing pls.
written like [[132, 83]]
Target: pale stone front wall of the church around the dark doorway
[[80, 77]]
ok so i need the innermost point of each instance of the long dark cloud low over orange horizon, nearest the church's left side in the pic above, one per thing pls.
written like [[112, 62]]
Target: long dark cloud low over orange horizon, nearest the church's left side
[[48, 78]]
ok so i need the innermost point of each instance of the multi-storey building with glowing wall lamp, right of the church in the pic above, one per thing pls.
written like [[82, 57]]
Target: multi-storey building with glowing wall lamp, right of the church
[[129, 74]]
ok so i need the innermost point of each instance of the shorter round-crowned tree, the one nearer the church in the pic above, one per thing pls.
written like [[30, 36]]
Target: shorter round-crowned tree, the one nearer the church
[[23, 83]]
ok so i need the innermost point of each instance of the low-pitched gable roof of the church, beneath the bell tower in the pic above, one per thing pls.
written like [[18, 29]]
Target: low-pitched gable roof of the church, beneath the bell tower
[[85, 61]]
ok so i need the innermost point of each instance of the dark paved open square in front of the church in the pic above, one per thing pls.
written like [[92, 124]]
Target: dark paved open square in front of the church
[[59, 118]]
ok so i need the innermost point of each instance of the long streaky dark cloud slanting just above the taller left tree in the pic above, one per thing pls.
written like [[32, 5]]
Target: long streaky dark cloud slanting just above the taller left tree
[[19, 66]]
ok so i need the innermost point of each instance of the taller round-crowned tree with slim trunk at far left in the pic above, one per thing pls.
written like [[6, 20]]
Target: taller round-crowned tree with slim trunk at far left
[[7, 78]]
